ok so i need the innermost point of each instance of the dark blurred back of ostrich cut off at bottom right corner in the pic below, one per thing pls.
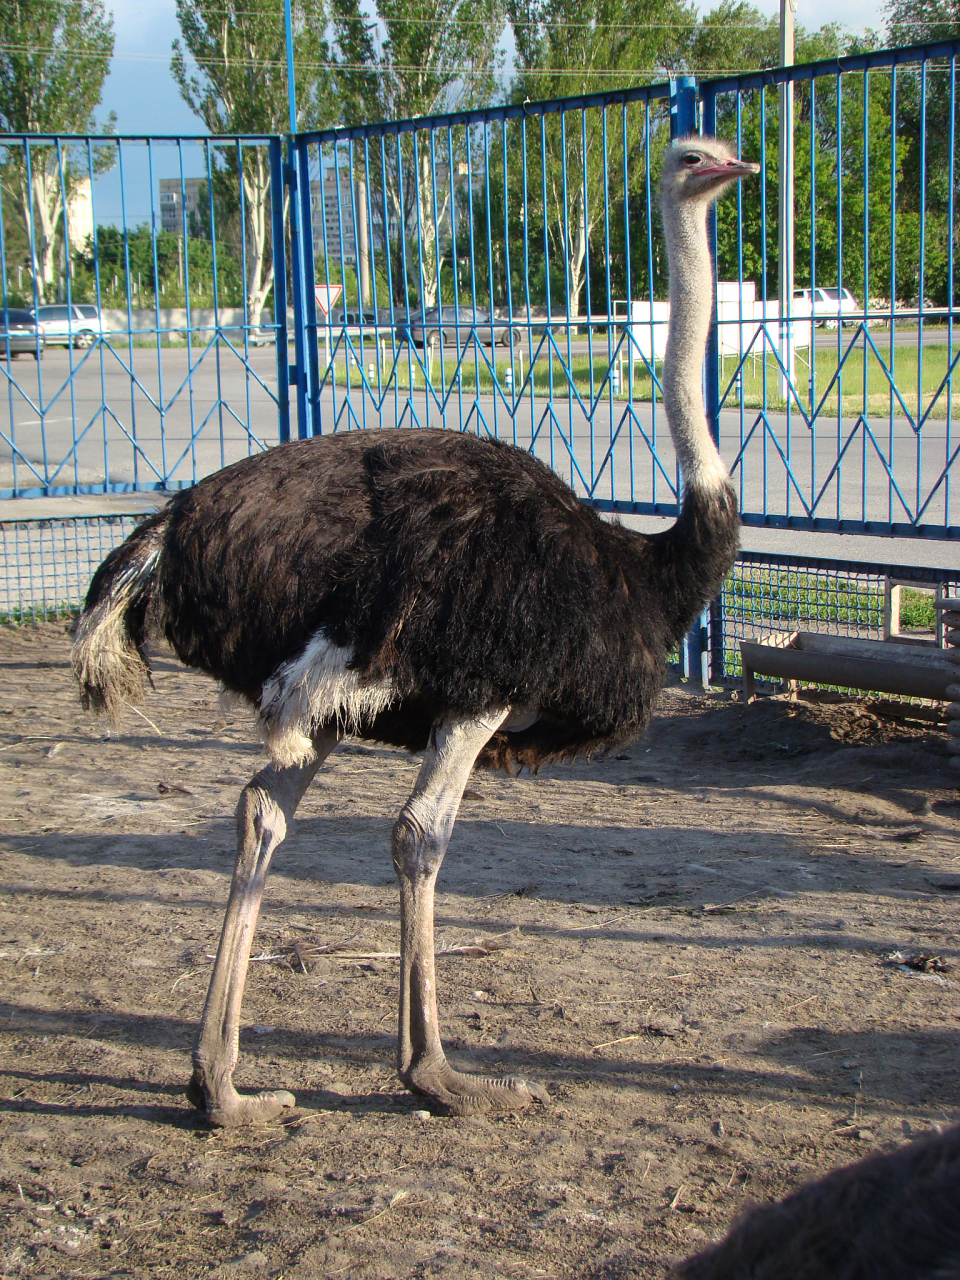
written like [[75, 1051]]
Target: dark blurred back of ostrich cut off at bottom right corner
[[890, 1218]]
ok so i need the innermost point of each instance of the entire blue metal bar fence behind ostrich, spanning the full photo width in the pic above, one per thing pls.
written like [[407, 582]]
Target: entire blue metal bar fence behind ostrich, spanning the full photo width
[[502, 272]]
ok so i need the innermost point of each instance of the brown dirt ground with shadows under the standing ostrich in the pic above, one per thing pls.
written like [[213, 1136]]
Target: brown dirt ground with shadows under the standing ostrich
[[697, 962]]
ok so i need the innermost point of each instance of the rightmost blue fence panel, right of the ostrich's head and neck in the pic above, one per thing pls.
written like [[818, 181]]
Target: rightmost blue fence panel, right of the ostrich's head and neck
[[842, 414]]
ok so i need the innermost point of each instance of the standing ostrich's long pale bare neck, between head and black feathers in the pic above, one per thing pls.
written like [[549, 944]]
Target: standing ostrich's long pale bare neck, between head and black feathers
[[691, 307]]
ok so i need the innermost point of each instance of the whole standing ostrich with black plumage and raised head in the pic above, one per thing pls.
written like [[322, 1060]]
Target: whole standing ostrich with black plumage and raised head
[[431, 591]]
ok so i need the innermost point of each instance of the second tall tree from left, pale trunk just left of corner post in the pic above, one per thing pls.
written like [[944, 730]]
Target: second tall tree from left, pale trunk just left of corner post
[[241, 89]]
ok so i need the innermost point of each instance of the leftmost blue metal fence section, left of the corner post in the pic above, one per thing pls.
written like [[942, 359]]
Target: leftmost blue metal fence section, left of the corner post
[[148, 268]]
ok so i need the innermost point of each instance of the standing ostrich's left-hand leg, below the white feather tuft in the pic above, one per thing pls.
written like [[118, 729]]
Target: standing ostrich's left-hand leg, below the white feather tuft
[[267, 806]]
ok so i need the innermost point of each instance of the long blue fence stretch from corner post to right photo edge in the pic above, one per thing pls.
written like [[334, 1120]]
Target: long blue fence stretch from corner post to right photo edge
[[538, 225]]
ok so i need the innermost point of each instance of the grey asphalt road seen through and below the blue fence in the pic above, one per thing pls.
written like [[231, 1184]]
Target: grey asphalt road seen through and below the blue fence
[[220, 410]]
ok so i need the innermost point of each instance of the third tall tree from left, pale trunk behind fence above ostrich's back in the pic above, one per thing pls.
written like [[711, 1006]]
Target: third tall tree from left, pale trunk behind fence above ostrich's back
[[417, 58]]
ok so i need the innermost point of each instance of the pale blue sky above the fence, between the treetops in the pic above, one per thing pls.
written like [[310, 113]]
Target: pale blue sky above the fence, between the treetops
[[143, 94]]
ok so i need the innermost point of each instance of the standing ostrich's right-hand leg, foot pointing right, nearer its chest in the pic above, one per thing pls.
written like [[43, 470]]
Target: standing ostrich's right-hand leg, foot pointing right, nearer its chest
[[420, 839]]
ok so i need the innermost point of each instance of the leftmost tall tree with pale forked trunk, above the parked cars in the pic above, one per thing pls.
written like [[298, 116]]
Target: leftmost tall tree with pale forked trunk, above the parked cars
[[53, 65]]
